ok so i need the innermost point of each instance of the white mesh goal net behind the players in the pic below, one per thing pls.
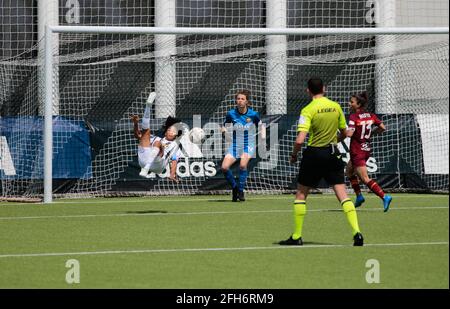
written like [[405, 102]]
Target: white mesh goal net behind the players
[[100, 79]]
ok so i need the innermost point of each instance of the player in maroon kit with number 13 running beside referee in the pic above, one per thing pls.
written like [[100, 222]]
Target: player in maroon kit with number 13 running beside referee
[[361, 126]]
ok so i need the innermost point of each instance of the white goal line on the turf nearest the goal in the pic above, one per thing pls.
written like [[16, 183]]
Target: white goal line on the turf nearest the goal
[[207, 213]]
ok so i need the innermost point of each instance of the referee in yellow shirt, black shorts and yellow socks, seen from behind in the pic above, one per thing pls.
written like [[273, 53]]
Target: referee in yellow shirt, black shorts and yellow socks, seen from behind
[[321, 118]]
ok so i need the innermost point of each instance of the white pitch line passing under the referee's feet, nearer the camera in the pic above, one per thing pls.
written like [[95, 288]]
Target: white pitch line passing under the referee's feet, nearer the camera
[[214, 249]]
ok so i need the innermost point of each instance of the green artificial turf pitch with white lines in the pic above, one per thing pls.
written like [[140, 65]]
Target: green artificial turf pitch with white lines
[[210, 242]]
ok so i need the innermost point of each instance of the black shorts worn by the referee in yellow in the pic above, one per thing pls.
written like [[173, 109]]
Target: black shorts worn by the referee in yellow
[[318, 163]]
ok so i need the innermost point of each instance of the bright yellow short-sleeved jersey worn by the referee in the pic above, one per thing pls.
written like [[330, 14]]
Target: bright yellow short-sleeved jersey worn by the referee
[[321, 118]]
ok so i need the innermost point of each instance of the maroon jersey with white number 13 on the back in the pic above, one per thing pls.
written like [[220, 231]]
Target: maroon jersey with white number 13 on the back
[[361, 123]]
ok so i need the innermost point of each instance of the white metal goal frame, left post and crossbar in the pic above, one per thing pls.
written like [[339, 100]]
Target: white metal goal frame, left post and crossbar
[[49, 61]]
